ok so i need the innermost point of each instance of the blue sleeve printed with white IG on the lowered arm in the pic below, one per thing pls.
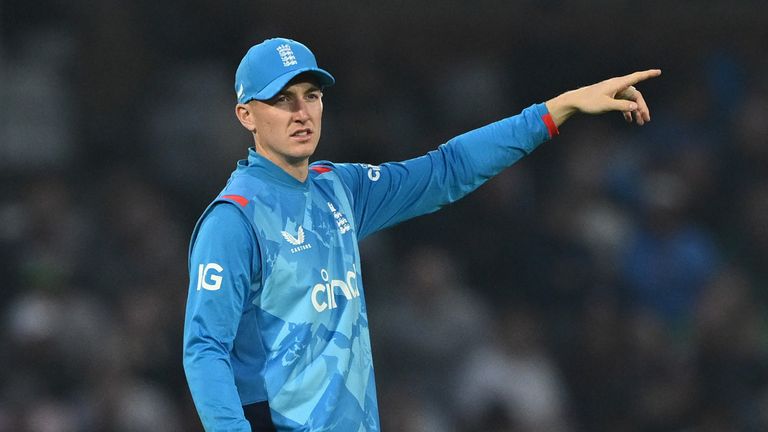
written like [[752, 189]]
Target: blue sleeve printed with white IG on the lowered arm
[[223, 258]]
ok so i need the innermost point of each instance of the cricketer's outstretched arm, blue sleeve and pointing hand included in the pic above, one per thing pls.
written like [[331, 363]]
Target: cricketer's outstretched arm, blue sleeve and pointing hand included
[[394, 192]]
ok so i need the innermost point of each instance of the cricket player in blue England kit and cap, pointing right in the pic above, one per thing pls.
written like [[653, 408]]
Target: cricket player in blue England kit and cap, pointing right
[[276, 330]]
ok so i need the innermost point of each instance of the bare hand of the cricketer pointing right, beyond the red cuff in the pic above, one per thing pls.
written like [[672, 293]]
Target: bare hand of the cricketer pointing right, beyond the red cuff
[[614, 94]]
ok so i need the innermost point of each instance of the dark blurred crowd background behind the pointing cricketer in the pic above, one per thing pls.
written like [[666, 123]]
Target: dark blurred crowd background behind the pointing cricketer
[[614, 280]]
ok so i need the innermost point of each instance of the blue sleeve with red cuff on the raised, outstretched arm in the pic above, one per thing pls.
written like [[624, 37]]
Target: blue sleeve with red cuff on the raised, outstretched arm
[[394, 192]]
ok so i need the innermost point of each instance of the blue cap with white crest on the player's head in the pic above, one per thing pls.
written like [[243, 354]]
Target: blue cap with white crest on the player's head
[[268, 66]]
